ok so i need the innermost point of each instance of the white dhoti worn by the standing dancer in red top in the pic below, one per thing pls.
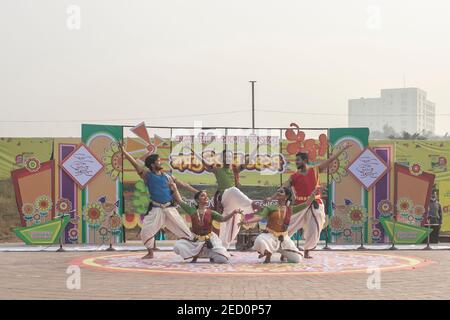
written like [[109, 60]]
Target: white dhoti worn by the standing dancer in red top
[[312, 221]]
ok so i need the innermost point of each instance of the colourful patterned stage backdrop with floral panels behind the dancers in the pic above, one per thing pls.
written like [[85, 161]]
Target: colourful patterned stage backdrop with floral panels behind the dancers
[[34, 168]]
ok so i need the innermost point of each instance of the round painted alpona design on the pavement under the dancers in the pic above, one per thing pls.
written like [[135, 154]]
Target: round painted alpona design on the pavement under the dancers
[[247, 263]]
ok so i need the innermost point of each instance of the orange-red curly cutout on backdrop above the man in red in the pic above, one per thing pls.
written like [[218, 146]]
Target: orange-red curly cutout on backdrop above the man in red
[[298, 143]]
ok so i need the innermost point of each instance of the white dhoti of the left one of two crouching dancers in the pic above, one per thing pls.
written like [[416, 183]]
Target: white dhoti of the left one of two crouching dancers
[[189, 249]]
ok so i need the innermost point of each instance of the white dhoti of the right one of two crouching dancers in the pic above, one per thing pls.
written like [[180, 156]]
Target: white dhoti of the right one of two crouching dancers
[[269, 242]]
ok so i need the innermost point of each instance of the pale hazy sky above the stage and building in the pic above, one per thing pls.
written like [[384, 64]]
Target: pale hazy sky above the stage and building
[[170, 62]]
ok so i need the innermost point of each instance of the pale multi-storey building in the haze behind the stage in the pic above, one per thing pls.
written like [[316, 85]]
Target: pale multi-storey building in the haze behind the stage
[[405, 109]]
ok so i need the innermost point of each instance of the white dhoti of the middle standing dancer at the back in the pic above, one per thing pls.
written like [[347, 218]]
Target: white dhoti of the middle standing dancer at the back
[[232, 199]]
